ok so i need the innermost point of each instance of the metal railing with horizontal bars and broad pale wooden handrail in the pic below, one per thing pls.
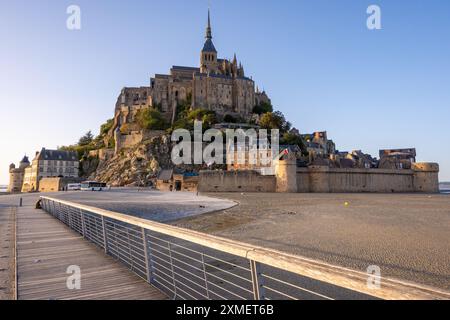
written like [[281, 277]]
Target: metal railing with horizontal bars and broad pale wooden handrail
[[190, 265]]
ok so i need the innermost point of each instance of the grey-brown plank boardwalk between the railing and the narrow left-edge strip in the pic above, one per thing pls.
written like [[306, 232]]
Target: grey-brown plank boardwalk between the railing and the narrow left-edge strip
[[46, 248]]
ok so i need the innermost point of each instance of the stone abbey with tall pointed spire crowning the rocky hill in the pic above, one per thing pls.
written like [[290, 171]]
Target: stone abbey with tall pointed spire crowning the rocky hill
[[219, 85]]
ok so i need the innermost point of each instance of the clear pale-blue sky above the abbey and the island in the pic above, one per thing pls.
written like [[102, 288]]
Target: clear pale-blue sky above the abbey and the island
[[317, 60]]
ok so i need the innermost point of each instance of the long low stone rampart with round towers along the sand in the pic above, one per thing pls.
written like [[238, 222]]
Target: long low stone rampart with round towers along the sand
[[290, 179]]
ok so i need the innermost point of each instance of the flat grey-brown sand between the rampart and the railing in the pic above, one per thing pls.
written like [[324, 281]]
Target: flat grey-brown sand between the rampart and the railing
[[407, 235]]
